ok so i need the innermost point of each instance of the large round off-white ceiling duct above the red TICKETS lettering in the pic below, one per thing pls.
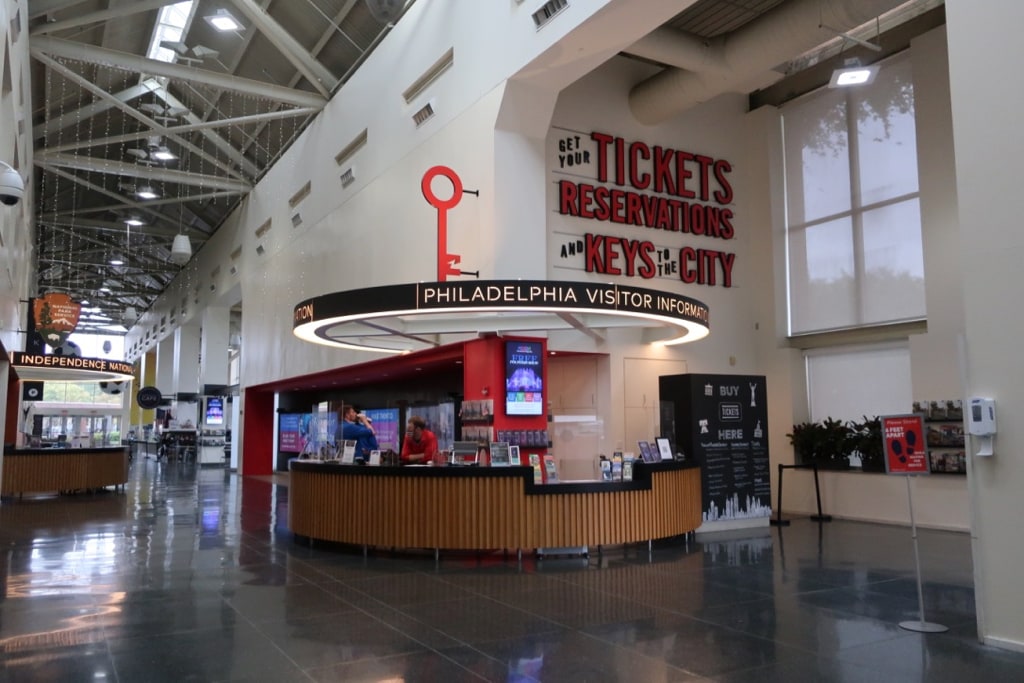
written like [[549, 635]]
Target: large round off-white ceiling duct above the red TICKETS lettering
[[735, 60]]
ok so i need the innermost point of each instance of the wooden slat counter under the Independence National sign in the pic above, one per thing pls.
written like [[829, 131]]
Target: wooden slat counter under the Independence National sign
[[39, 471]]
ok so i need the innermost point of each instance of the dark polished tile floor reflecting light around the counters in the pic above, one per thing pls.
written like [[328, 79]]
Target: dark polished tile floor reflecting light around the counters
[[191, 575]]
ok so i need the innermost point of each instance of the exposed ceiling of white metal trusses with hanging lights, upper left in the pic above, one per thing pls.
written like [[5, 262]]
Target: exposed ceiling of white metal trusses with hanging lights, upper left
[[199, 132]]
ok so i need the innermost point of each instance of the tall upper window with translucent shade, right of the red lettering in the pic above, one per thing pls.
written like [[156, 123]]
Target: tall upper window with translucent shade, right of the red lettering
[[854, 220]]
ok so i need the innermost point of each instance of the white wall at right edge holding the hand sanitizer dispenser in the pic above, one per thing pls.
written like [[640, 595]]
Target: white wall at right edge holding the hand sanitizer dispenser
[[985, 56]]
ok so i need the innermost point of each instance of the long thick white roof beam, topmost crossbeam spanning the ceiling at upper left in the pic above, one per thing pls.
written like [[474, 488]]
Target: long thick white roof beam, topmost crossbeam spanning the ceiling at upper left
[[72, 51]]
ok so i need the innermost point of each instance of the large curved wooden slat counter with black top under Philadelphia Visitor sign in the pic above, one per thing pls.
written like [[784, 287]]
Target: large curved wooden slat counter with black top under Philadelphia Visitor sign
[[488, 508]]
